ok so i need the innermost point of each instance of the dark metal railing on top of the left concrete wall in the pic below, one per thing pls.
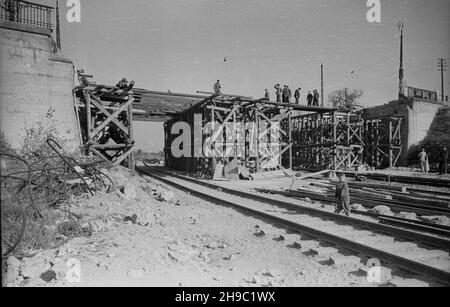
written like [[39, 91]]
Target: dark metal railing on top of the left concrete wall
[[27, 13]]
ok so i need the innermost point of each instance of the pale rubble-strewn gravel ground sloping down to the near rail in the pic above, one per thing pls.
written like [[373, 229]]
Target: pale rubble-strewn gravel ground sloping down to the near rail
[[184, 241]]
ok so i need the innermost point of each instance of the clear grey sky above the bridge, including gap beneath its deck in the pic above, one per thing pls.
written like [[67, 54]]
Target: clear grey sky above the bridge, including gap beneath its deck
[[180, 45]]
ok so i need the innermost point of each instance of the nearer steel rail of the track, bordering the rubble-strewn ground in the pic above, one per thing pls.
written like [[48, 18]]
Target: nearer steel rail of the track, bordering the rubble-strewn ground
[[408, 264]]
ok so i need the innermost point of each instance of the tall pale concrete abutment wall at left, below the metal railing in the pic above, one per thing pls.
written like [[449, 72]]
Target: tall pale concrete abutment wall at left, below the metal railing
[[32, 81]]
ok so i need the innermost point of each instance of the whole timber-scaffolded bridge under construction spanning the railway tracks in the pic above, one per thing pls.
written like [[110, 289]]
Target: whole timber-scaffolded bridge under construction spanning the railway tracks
[[308, 138]]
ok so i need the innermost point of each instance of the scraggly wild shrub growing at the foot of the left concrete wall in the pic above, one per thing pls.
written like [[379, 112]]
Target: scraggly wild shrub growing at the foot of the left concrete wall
[[36, 201]]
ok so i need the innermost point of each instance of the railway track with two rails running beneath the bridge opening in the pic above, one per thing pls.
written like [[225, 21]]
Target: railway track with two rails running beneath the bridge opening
[[338, 239]]
